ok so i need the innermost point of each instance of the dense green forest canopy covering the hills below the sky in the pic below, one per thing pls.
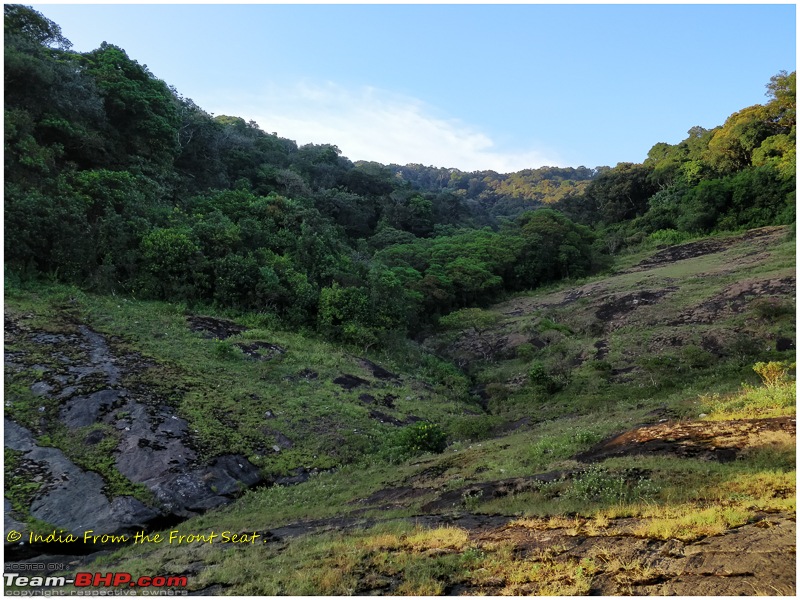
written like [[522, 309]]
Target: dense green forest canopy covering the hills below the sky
[[116, 182]]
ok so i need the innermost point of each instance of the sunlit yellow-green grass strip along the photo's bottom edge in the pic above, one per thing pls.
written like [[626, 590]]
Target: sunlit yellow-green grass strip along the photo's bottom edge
[[400, 559]]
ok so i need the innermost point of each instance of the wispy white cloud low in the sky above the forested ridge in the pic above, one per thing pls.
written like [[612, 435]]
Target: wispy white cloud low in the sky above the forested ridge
[[372, 124]]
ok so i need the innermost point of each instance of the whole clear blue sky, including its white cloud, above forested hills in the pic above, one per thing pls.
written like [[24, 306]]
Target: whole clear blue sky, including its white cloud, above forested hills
[[501, 87]]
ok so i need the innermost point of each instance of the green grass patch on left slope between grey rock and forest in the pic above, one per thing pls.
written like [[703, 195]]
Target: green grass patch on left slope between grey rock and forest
[[223, 394]]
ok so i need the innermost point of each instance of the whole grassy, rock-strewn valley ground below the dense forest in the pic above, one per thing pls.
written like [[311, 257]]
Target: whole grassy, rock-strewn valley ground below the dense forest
[[599, 438]]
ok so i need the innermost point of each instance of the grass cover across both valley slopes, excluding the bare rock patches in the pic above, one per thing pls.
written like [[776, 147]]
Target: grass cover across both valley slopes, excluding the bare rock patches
[[663, 497]]
